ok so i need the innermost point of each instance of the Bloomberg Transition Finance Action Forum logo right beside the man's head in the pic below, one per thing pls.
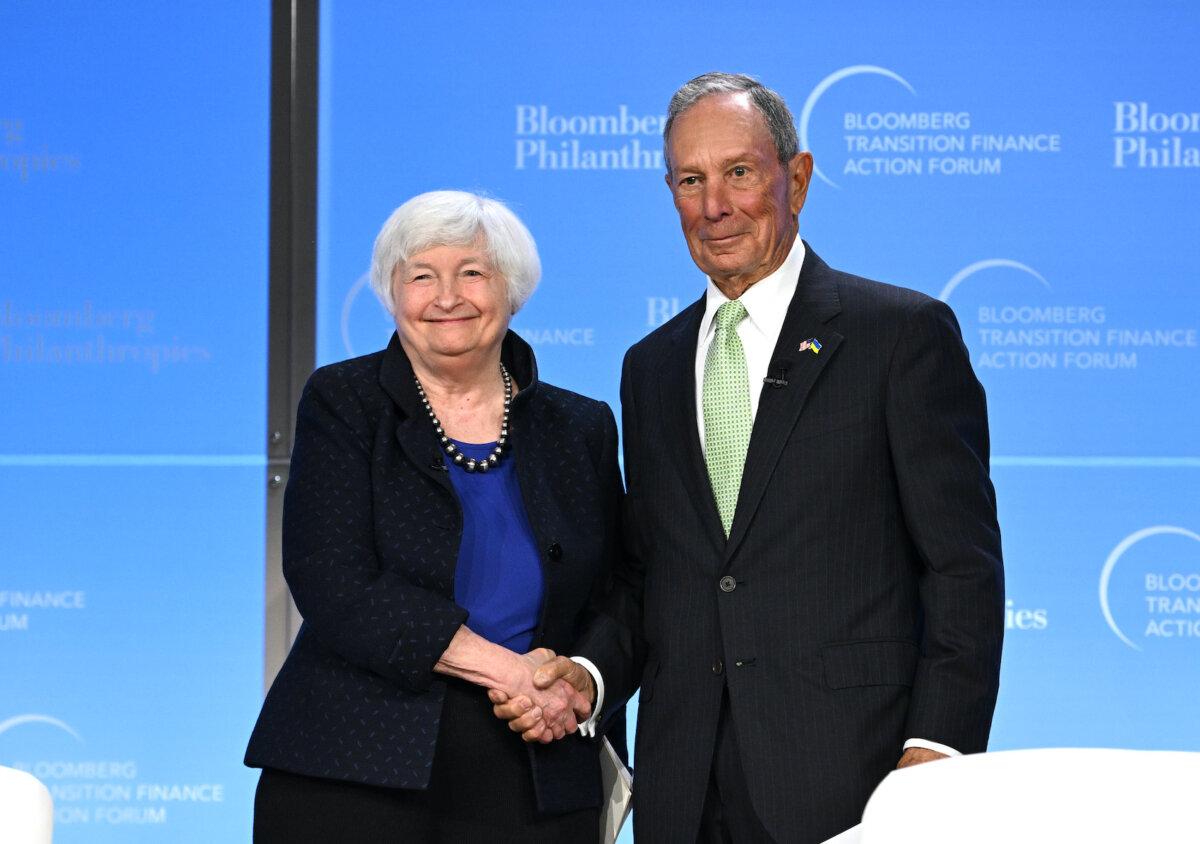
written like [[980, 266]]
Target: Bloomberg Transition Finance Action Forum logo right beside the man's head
[[902, 134]]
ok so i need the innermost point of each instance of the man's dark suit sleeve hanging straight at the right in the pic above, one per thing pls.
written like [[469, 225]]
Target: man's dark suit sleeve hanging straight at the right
[[938, 429]]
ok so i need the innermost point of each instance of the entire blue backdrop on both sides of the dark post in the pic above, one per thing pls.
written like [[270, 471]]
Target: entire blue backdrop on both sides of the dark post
[[1034, 165]]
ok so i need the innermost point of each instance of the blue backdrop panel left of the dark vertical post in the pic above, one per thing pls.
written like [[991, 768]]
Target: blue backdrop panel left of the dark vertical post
[[134, 173]]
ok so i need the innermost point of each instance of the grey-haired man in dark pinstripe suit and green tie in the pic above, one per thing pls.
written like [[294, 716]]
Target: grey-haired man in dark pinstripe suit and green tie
[[814, 590]]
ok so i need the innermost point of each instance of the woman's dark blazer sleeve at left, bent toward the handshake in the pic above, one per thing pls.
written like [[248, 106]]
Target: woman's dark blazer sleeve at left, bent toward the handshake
[[373, 618]]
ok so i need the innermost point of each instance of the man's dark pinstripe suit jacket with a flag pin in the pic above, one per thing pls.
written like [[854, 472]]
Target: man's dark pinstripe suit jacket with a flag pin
[[868, 590]]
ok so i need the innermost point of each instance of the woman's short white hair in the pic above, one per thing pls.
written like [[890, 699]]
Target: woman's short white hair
[[457, 219]]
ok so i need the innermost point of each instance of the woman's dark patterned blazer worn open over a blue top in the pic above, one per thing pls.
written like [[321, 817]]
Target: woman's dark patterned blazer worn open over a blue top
[[371, 535]]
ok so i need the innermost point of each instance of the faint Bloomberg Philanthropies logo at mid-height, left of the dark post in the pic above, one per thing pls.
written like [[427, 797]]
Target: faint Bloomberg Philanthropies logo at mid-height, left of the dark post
[[91, 336]]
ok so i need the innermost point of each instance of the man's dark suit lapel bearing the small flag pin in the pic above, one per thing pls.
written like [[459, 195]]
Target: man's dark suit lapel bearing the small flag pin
[[814, 304]]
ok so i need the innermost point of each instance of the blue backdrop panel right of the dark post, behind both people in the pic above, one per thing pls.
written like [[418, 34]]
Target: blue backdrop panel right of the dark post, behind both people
[[1034, 165]]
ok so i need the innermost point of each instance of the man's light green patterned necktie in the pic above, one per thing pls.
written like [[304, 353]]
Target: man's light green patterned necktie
[[727, 404]]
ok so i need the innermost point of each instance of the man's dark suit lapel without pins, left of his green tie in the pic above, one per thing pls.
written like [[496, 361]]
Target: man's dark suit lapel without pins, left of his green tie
[[677, 393]]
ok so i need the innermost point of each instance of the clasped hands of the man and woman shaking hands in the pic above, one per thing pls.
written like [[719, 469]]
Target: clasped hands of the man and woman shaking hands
[[549, 701]]
